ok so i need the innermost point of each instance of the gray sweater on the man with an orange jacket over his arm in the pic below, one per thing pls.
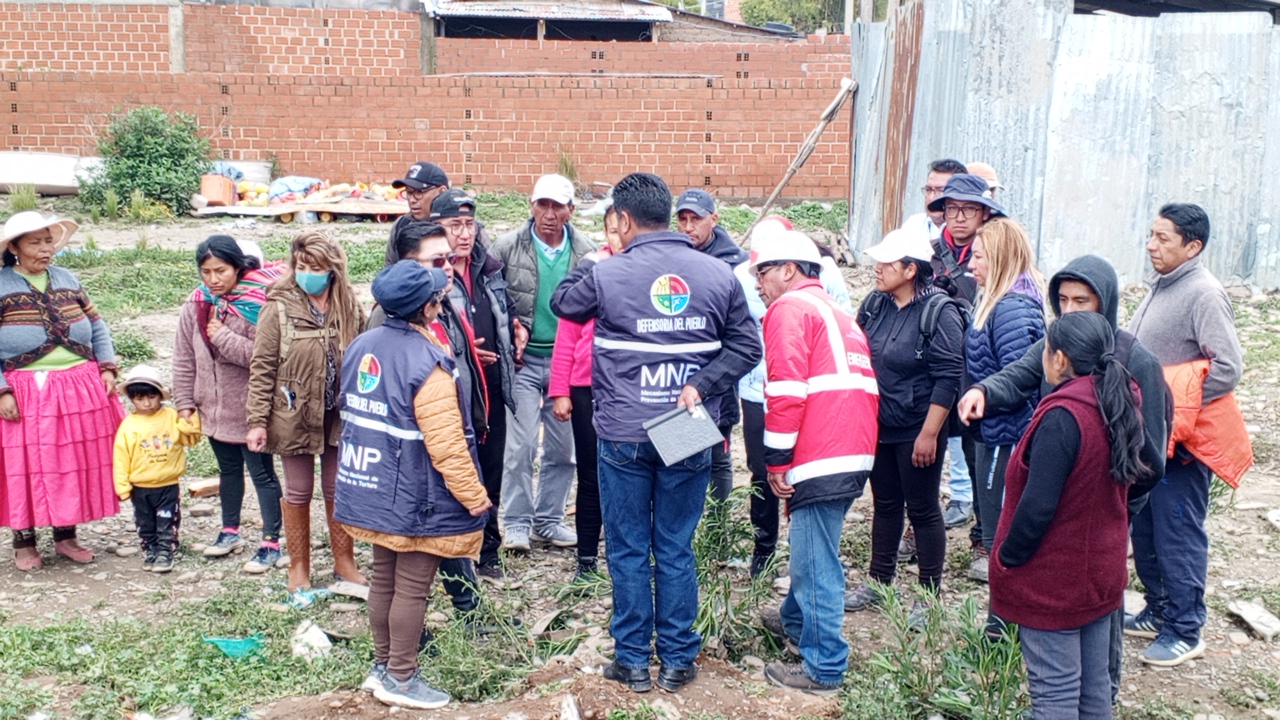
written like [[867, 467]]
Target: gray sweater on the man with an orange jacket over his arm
[[1187, 316]]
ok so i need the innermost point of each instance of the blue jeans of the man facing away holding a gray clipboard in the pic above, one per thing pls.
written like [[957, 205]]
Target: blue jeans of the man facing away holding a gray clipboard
[[652, 511]]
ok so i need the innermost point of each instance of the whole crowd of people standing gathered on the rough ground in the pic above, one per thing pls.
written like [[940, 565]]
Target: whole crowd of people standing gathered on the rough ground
[[452, 420]]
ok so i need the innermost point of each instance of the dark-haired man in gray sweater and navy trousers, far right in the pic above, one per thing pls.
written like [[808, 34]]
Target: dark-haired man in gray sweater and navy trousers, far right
[[1186, 317]]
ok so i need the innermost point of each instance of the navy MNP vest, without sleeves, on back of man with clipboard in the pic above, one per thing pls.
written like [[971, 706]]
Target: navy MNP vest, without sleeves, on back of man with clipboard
[[662, 317]]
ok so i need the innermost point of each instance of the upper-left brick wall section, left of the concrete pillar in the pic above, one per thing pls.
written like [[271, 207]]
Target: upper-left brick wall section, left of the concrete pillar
[[85, 38]]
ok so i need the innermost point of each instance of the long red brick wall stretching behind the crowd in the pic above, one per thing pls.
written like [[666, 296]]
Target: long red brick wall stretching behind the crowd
[[259, 85]]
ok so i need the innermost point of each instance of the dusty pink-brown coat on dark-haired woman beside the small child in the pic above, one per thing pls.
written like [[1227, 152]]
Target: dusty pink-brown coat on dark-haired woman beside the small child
[[214, 386]]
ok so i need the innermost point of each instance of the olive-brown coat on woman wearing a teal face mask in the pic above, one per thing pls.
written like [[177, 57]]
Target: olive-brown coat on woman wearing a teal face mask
[[295, 429]]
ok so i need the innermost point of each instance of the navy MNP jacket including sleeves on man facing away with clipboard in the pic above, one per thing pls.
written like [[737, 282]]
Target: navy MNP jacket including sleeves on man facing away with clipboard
[[666, 316]]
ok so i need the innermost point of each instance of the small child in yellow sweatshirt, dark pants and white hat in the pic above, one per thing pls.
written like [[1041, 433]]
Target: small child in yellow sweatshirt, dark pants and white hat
[[150, 457]]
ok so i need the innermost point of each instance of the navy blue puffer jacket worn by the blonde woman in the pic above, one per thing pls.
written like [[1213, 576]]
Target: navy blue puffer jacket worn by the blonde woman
[[1014, 326]]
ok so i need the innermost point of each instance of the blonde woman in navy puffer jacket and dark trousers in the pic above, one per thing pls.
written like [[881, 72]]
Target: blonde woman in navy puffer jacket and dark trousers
[[1008, 318]]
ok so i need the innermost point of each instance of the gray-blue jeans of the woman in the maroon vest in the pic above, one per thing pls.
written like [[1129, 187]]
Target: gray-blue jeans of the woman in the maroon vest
[[1068, 671]]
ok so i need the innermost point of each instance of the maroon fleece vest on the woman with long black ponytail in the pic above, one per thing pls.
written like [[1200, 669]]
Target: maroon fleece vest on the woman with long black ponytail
[[1080, 573]]
